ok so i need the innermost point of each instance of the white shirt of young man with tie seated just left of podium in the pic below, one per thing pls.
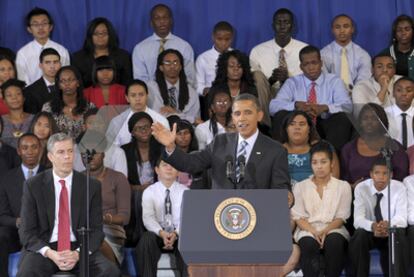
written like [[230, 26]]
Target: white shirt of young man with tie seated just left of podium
[[153, 205]]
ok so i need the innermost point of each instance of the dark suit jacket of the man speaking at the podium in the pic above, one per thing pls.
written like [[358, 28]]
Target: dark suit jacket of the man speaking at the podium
[[266, 168]]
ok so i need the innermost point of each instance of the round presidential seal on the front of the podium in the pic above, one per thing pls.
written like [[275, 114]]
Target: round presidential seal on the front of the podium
[[235, 218]]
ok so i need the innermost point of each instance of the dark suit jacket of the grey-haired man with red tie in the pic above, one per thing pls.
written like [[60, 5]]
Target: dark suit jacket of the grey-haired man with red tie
[[38, 210]]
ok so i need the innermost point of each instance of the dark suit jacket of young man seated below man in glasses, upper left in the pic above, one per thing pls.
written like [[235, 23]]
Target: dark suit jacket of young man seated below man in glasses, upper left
[[36, 95]]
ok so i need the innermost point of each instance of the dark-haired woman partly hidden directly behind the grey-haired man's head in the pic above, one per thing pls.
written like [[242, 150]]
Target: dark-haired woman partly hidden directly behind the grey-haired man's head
[[43, 126]]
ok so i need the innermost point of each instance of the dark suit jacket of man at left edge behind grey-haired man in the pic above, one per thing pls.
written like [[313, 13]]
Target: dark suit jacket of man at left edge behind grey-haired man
[[11, 191]]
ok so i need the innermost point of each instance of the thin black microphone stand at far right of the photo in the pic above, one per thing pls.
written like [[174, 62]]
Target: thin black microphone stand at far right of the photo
[[387, 154]]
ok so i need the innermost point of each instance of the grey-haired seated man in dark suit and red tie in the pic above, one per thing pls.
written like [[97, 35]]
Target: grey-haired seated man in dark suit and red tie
[[53, 210]]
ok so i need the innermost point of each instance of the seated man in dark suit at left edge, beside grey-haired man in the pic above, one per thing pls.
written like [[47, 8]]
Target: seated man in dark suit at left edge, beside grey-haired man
[[11, 190]]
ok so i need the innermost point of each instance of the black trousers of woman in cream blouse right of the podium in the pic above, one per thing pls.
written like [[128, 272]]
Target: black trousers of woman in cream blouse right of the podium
[[332, 254]]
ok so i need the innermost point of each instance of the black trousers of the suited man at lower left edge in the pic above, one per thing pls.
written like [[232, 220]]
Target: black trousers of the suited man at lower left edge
[[9, 243]]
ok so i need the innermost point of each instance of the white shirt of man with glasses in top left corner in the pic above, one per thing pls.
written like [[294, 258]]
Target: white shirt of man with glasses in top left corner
[[27, 59]]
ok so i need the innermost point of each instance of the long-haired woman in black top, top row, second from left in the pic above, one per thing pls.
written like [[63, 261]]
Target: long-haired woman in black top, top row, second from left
[[102, 40]]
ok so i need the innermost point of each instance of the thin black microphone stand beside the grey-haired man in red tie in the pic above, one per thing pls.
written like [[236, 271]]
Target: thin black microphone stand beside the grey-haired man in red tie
[[84, 231]]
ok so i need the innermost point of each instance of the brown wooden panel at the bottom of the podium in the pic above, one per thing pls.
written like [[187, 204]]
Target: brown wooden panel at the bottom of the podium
[[234, 270]]
